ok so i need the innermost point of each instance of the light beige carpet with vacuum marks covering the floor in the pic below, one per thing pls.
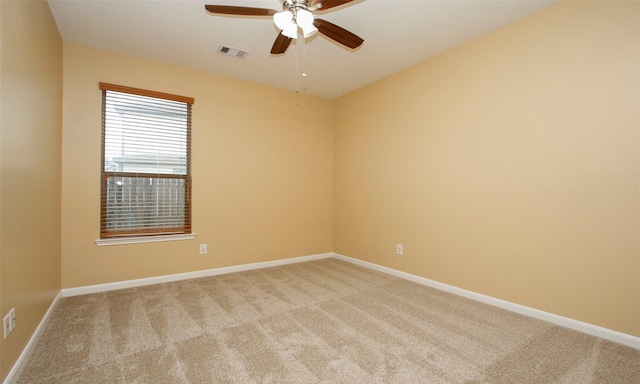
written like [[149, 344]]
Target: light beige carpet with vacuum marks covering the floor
[[324, 321]]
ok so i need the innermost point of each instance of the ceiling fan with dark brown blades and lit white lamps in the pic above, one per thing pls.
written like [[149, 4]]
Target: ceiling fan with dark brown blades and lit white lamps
[[296, 14]]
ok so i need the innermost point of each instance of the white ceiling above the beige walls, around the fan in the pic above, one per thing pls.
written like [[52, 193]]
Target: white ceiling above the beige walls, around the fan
[[396, 33]]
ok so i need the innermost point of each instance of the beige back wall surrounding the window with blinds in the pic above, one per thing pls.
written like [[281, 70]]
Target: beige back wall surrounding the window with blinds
[[262, 170]]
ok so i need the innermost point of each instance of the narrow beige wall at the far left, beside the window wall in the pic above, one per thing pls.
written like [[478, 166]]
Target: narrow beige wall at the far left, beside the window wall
[[30, 153]]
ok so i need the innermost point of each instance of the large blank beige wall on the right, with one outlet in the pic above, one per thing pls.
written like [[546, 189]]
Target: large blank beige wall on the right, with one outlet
[[509, 166]]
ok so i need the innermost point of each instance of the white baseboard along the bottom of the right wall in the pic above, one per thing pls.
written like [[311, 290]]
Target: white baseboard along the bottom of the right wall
[[594, 330]]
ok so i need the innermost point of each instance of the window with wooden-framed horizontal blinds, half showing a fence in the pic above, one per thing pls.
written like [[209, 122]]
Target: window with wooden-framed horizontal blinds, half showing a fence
[[146, 163]]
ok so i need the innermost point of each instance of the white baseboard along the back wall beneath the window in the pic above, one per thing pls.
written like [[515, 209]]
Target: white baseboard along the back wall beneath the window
[[68, 292]]
